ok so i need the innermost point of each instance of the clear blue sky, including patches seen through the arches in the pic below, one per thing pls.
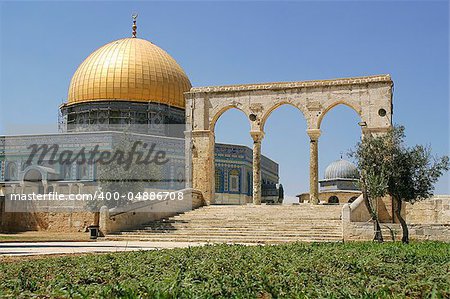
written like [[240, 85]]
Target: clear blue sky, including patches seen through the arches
[[42, 44]]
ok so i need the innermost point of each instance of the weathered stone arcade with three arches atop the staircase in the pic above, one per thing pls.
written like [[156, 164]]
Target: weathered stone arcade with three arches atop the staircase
[[370, 97]]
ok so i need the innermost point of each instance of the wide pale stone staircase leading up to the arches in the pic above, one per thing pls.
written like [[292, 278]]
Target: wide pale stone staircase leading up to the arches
[[267, 224]]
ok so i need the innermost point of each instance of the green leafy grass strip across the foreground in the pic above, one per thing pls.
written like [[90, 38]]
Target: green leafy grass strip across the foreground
[[327, 270]]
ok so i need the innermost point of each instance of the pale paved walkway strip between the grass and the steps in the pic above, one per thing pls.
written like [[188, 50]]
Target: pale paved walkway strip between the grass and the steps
[[42, 248]]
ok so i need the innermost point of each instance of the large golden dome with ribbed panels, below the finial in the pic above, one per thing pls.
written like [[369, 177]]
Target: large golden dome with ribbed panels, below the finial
[[130, 69]]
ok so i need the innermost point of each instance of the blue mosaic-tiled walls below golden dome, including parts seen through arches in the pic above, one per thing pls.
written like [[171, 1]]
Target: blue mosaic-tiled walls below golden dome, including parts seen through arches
[[233, 165]]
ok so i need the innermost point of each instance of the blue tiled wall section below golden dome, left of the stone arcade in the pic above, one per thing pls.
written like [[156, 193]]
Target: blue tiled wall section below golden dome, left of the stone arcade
[[19, 172]]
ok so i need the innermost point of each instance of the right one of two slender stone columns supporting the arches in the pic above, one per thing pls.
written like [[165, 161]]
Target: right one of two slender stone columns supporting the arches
[[314, 135]]
